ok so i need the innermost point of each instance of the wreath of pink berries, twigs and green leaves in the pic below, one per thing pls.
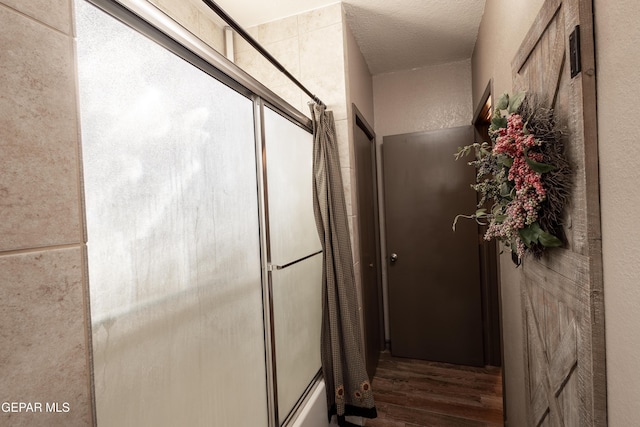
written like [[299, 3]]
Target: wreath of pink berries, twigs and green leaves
[[523, 176]]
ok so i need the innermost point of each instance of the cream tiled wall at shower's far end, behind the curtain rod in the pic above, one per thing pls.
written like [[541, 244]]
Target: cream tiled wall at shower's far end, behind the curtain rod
[[312, 47]]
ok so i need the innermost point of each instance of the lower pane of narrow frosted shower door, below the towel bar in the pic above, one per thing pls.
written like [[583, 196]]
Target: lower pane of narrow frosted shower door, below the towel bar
[[297, 307]]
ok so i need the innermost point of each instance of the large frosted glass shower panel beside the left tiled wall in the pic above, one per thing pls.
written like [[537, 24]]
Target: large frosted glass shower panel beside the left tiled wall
[[173, 235]]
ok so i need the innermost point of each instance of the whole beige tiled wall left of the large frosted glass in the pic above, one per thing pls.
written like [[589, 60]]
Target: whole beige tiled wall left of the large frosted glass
[[44, 332]]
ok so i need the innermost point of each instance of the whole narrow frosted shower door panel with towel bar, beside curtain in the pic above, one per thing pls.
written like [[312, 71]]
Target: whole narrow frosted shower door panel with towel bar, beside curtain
[[296, 276]]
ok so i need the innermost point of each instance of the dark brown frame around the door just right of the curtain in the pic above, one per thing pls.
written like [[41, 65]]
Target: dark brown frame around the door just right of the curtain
[[359, 121]]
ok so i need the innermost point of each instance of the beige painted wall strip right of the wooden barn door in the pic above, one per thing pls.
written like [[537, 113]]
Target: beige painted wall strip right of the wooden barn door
[[618, 89]]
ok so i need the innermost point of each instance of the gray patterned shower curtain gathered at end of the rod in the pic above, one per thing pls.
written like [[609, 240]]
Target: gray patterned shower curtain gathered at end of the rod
[[343, 366]]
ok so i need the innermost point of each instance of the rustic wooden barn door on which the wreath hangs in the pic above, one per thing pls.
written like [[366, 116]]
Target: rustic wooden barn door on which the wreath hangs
[[562, 293]]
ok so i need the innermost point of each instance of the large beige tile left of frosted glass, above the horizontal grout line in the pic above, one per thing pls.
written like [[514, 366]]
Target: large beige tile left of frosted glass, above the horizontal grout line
[[39, 183]]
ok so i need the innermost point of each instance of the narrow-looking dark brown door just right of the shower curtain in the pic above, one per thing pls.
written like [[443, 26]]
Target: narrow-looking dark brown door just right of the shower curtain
[[369, 247]]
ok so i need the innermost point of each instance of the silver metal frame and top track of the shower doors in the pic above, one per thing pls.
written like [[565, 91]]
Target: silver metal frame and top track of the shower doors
[[145, 18]]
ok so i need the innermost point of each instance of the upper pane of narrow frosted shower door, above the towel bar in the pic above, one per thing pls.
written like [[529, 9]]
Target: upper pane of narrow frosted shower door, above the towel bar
[[289, 157]]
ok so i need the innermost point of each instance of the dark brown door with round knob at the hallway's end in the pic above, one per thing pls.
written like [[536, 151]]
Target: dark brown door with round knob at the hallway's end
[[434, 285]]
